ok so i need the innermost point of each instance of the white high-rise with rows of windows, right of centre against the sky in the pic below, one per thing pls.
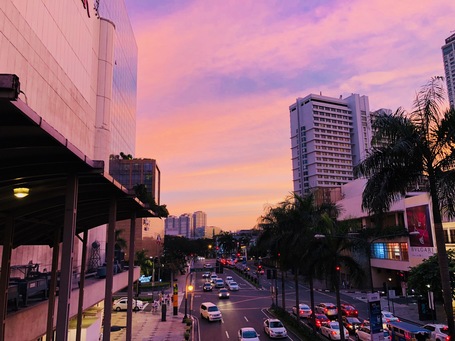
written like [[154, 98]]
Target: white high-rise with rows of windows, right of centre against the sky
[[329, 136]]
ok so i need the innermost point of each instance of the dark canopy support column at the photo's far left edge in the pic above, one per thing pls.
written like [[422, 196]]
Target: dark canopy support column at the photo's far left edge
[[5, 273]]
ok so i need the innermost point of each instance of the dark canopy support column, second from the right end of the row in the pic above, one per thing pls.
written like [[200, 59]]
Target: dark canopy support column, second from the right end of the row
[[109, 269]]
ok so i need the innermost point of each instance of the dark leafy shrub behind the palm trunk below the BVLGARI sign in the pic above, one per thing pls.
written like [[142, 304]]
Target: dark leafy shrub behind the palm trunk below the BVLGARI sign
[[428, 272]]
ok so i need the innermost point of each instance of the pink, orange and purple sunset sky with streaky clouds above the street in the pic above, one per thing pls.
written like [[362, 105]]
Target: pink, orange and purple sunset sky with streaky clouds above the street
[[216, 78]]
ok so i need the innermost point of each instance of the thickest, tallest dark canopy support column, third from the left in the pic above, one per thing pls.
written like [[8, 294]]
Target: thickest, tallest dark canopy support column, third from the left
[[69, 230]]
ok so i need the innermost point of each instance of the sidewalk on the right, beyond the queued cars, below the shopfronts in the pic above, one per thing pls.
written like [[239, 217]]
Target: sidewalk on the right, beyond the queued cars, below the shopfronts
[[405, 309]]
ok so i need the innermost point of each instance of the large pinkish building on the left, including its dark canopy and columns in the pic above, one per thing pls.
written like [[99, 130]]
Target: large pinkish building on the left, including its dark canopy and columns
[[76, 62]]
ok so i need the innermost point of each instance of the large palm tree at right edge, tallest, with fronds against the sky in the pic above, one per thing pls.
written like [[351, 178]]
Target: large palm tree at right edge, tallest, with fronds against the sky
[[419, 144]]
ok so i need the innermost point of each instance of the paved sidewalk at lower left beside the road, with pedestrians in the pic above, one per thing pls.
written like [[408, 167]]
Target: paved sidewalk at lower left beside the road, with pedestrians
[[147, 325]]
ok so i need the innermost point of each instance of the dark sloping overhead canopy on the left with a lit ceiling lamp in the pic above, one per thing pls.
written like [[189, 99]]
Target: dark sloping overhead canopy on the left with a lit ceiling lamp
[[34, 155]]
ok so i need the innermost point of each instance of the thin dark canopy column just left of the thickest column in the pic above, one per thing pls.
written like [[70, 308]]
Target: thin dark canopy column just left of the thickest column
[[53, 286]]
